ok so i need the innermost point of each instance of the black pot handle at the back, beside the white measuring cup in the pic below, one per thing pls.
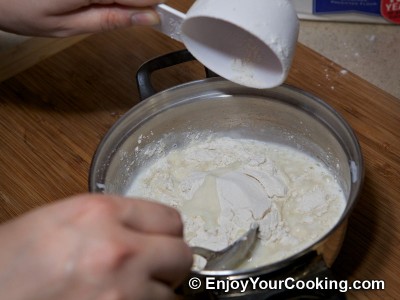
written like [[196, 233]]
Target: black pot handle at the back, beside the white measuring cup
[[143, 75]]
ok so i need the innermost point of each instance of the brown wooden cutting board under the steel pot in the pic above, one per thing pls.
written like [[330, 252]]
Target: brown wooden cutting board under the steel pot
[[53, 115]]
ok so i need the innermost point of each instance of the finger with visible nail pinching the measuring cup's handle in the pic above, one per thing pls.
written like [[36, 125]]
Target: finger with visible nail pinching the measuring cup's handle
[[104, 18]]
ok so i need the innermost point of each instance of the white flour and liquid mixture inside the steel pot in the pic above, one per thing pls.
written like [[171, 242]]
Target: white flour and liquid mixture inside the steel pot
[[223, 185]]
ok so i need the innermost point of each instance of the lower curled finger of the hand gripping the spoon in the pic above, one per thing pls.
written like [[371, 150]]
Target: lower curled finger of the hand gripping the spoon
[[166, 259]]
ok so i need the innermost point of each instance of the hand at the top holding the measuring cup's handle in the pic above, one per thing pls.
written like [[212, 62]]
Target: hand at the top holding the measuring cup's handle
[[61, 18]]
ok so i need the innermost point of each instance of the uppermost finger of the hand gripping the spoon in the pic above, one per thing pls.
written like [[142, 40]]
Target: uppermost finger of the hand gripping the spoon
[[138, 214]]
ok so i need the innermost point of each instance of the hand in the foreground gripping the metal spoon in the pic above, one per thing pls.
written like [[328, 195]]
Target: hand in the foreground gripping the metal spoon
[[93, 247]]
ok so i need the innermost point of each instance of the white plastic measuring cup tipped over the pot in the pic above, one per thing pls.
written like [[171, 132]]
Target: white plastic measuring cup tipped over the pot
[[248, 42]]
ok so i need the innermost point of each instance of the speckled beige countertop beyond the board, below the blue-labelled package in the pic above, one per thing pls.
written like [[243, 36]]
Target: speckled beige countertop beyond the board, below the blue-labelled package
[[369, 50]]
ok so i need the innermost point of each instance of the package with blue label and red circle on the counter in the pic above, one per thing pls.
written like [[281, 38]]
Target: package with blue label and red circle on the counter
[[367, 11]]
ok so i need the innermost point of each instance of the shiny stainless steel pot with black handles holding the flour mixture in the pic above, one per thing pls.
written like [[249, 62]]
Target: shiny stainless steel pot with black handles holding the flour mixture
[[282, 115]]
